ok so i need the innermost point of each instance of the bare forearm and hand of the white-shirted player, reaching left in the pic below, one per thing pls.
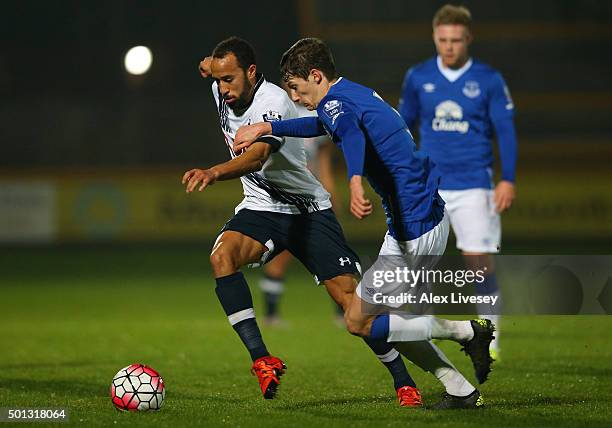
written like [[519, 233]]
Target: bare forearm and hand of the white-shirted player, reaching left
[[250, 161]]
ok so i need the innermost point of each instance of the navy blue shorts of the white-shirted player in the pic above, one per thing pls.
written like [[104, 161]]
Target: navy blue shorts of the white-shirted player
[[315, 239]]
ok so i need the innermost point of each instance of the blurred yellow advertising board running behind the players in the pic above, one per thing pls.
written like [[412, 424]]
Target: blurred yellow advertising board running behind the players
[[153, 206]]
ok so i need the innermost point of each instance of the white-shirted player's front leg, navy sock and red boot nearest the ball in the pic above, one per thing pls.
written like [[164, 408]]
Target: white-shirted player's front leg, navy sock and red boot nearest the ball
[[231, 251]]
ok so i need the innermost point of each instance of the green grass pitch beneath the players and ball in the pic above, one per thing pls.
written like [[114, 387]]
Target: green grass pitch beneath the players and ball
[[72, 317]]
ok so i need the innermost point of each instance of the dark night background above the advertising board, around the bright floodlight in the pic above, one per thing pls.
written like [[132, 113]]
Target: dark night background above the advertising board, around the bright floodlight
[[67, 101]]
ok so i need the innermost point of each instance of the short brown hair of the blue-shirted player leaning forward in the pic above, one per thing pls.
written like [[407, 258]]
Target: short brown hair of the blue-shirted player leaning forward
[[305, 55]]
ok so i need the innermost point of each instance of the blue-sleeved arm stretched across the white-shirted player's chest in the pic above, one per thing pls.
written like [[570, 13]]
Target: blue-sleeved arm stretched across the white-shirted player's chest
[[303, 127]]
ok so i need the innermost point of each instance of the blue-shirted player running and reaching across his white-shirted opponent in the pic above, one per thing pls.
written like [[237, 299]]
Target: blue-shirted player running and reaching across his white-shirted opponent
[[376, 144]]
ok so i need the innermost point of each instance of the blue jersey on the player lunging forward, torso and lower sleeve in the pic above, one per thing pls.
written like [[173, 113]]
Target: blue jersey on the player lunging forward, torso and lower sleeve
[[377, 144]]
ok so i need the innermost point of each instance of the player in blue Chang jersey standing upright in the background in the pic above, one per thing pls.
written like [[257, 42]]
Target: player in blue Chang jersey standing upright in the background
[[458, 101]]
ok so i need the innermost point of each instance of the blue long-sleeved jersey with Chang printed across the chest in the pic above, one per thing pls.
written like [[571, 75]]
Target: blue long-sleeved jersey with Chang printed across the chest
[[457, 119]]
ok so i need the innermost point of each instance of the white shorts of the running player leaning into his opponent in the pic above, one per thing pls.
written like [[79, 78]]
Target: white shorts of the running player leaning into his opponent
[[414, 254]]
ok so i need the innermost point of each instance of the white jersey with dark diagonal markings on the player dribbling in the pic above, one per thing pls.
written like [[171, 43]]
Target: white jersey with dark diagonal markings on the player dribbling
[[284, 184]]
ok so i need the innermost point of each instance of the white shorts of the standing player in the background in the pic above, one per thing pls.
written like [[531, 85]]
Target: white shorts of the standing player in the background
[[474, 219]]
